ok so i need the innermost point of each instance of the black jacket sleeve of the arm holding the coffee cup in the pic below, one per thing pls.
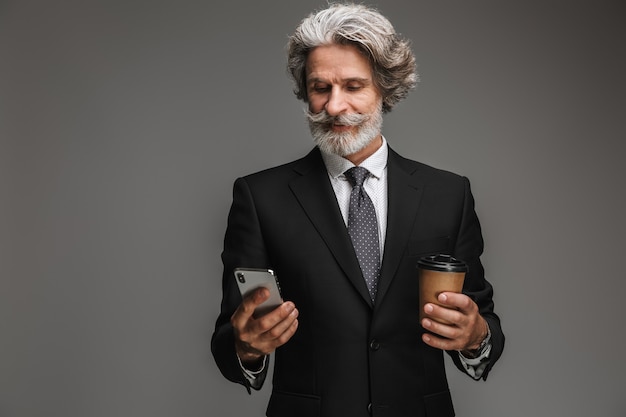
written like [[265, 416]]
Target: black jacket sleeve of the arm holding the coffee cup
[[469, 247]]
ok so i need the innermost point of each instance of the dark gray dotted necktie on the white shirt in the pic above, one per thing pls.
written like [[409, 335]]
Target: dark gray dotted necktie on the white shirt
[[363, 228]]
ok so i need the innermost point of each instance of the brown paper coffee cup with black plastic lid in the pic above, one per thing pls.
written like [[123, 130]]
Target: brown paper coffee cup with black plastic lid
[[437, 274]]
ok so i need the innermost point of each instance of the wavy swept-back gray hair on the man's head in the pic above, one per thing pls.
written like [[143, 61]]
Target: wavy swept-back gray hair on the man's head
[[391, 58]]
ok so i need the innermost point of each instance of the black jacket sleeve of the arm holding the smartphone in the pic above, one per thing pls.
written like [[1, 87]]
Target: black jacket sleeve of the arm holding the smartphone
[[243, 247]]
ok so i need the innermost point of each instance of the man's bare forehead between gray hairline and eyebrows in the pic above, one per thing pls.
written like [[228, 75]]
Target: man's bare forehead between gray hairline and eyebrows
[[337, 63]]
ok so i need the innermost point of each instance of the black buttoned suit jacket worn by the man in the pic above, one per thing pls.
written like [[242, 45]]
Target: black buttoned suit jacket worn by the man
[[349, 357]]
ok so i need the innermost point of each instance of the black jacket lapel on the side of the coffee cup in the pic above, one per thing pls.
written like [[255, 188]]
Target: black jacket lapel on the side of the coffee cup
[[404, 193]]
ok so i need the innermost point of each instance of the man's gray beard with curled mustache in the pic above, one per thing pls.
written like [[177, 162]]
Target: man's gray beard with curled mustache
[[344, 143]]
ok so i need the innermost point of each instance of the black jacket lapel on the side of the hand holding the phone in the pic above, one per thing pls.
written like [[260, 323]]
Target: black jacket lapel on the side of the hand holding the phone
[[317, 198]]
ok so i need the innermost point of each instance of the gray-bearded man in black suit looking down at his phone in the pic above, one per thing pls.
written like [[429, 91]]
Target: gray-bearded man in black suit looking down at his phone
[[348, 340]]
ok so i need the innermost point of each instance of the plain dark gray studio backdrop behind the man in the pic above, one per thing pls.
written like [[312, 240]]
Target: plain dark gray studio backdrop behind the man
[[124, 123]]
